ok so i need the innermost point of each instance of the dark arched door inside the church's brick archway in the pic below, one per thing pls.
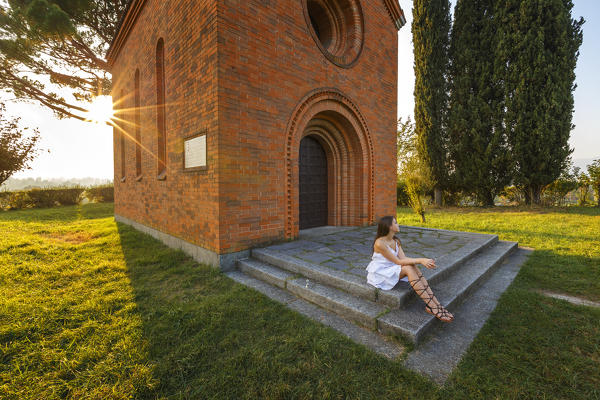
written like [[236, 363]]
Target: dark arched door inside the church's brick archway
[[313, 184]]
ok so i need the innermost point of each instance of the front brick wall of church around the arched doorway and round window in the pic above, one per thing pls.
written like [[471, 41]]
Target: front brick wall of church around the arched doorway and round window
[[268, 62]]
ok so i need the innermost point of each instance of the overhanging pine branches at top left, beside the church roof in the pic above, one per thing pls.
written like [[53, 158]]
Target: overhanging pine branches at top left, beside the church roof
[[52, 51]]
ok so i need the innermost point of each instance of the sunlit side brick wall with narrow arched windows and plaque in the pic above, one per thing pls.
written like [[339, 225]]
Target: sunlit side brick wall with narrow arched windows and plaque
[[185, 204]]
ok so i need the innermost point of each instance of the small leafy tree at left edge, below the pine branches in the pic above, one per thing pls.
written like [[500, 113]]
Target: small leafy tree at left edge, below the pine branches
[[17, 146]]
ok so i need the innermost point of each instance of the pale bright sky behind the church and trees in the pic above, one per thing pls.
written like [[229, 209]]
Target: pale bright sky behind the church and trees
[[74, 149]]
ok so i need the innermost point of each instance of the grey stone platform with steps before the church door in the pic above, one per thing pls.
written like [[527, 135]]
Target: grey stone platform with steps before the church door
[[322, 275]]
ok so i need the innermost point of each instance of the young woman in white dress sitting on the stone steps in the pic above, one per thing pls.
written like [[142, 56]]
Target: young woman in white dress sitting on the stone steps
[[389, 265]]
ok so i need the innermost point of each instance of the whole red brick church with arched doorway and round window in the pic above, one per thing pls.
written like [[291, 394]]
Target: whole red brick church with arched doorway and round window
[[240, 123]]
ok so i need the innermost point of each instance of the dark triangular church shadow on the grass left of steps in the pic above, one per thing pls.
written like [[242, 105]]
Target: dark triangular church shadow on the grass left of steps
[[209, 337]]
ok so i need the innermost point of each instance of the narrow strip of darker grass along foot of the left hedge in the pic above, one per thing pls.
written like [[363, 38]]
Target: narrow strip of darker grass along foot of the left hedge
[[60, 214]]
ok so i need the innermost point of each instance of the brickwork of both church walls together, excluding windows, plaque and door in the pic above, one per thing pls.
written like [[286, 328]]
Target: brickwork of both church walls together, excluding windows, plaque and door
[[247, 95]]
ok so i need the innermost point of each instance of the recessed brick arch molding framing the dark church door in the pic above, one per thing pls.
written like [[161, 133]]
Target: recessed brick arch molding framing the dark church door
[[337, 121]]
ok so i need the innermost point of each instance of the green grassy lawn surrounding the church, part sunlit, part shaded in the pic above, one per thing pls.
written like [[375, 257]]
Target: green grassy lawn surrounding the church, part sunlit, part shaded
[[94, 309]]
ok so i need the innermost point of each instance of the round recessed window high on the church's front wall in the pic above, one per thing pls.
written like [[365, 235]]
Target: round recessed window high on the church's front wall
[[337, 28]]
